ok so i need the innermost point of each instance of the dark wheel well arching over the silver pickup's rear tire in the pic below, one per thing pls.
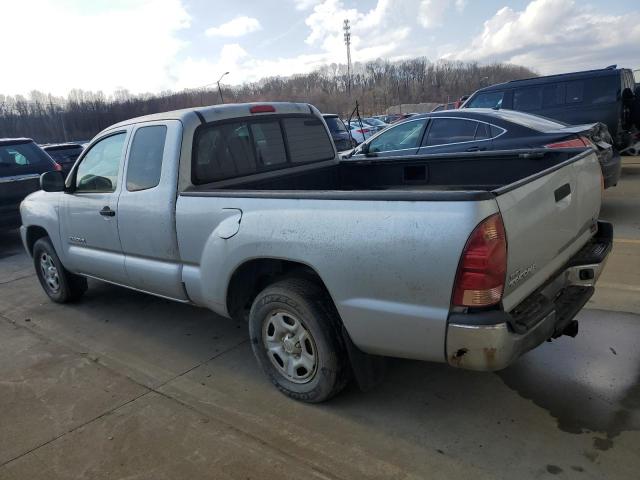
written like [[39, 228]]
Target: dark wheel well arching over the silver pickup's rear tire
[[255, 275]]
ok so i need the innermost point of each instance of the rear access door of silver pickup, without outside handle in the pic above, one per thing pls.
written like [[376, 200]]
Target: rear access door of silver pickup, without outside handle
[[147, 210]]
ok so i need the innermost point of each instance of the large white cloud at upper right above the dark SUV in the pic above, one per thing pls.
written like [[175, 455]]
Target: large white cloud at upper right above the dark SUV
[[556, 36]]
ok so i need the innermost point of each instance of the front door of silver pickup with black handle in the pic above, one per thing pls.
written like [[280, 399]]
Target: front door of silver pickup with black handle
[[89, 228]]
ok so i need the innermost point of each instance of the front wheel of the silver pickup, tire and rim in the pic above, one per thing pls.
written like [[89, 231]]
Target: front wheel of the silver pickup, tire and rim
[[58, 283]]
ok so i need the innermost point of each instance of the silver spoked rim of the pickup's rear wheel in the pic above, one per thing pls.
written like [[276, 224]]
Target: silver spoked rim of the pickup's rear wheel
[[290, 346]]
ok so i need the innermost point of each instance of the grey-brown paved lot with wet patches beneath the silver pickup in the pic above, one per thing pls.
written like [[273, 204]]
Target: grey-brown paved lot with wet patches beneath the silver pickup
[[125, 385]]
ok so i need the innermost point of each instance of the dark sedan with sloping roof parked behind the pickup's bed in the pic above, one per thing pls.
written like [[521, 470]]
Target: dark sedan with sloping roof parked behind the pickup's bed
[[479, 129]]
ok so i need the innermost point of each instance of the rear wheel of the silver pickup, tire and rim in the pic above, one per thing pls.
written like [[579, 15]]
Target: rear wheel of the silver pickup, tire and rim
[[295, 336]]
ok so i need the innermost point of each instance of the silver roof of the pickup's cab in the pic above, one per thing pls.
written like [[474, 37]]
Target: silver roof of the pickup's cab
[[212, 113]]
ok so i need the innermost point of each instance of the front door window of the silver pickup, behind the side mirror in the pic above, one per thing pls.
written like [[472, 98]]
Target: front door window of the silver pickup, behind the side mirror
[[98, 170]]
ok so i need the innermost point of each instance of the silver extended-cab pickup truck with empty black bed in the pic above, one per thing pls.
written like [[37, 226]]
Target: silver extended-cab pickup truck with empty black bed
[[470, 259]]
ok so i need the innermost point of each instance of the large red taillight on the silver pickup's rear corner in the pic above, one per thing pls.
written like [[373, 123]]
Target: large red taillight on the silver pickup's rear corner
[[483, 266]]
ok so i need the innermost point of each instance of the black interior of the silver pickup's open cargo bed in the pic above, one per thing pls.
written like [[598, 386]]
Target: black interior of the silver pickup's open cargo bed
[[462, 176]]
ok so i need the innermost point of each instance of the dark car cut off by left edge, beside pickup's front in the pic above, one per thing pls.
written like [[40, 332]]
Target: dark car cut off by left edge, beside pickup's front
[[21, 163]]
